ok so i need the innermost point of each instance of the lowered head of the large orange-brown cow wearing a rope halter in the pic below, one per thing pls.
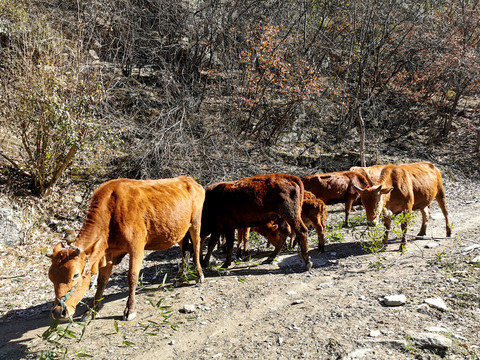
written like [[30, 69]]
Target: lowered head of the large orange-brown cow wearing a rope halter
[[71, 274]]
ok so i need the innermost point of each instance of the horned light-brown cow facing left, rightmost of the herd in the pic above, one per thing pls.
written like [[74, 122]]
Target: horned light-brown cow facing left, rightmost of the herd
[[405, 187]]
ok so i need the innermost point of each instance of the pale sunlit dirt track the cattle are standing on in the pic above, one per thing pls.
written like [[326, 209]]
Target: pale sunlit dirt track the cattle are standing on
[[272, 311]]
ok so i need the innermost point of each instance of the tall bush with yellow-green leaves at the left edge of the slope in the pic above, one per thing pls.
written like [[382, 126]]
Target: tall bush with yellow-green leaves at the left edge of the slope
[[48, 102]]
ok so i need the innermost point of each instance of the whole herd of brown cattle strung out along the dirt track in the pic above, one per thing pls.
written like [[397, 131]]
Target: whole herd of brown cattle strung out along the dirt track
[[130, 216]]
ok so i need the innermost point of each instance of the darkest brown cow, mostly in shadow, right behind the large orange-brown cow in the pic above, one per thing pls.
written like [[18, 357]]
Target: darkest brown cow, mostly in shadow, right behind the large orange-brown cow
[[250, 202]]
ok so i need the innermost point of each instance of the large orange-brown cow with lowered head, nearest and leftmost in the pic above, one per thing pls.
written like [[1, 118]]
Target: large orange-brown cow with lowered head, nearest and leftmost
[[125, 216]]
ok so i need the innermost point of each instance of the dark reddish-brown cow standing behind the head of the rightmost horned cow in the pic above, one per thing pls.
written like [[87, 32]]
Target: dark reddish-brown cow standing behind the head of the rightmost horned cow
[[336, 187]]
